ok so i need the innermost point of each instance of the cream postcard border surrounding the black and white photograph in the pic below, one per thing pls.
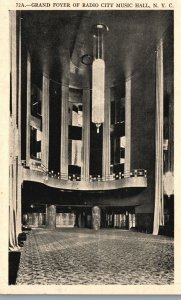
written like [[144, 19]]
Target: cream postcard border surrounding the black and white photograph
[[4, 153]]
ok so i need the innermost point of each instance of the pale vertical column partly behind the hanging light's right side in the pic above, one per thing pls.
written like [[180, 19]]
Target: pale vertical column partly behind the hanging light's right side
[[106, 136]]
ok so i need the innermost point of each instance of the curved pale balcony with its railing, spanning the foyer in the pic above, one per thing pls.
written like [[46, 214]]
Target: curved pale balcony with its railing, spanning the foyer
[[38, 173]]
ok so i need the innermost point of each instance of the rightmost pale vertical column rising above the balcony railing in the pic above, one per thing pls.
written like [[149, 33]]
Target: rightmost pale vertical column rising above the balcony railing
[[128, 125]]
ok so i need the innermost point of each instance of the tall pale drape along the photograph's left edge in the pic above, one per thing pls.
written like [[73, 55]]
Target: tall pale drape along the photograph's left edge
[[15, 121]]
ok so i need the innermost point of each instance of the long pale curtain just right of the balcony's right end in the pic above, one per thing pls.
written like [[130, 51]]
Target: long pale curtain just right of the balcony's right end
[[159, 200]]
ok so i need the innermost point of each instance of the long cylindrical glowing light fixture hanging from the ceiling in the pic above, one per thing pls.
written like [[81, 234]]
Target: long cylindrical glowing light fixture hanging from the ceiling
[[98, 76]]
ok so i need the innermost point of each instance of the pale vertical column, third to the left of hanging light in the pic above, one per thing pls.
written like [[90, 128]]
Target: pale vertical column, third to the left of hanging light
[[45, 122]]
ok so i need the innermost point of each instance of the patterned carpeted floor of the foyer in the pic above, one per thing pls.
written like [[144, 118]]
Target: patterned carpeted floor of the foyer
[[84, 256]]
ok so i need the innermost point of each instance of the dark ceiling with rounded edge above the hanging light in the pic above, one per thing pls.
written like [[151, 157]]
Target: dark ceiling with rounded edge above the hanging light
[[55, 36]]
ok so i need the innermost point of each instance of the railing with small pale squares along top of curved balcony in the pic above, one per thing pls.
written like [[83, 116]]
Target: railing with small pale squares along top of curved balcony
[[92, 178]]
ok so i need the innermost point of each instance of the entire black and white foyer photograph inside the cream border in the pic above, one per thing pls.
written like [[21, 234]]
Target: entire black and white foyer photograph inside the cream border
[[91, 157]]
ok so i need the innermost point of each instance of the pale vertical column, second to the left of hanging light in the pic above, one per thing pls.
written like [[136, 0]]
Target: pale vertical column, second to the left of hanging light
[[64, 132]]
